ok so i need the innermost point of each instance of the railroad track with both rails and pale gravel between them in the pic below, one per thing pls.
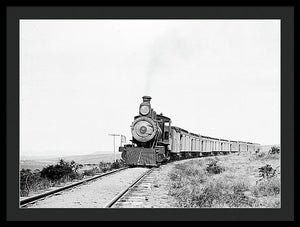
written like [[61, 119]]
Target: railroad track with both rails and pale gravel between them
[[125, 194]]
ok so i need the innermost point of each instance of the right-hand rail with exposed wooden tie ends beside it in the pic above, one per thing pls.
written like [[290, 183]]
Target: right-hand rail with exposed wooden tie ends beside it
[[134, 195]]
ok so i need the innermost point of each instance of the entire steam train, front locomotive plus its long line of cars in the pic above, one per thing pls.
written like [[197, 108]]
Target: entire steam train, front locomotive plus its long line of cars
[[155, 141]]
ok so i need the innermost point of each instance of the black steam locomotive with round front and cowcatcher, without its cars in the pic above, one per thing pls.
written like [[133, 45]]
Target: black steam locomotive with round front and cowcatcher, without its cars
[[150, 138]]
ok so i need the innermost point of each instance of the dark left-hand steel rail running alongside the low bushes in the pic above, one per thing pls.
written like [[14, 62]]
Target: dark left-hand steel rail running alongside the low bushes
[[36, 197]]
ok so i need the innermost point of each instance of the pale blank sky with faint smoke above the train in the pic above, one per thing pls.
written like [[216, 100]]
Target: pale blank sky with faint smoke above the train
[[81, 80]]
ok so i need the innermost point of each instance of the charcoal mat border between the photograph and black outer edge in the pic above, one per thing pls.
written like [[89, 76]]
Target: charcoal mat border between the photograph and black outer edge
[[283, 13]]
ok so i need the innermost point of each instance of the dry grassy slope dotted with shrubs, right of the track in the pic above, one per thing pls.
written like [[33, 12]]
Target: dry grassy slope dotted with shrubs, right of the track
[[233, 181]]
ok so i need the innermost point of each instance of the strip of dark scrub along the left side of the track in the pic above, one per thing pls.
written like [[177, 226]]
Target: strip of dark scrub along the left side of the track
[[60, 173]]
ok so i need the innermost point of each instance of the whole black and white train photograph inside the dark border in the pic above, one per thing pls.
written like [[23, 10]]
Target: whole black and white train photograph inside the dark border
[[149, 113]]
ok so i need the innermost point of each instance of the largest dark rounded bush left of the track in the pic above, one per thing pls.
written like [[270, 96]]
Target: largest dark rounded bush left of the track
[[61, 170]]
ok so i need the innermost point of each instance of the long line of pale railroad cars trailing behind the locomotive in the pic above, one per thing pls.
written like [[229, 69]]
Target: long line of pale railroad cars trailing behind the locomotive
[[184, 144]]
